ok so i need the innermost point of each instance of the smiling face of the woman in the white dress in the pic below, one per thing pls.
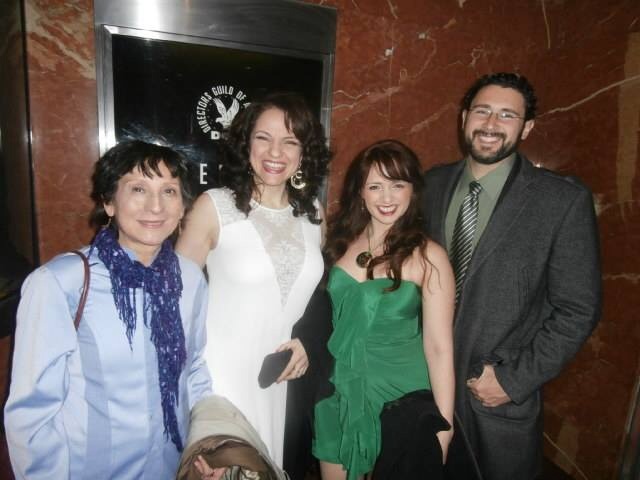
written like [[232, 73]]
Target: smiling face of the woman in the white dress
[[275, 151]]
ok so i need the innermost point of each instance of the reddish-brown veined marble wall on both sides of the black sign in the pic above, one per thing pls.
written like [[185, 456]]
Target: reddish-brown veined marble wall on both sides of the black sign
[[401, 68]]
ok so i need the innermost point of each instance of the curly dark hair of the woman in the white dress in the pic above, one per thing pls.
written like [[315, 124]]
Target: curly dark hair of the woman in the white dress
[[236, 173]]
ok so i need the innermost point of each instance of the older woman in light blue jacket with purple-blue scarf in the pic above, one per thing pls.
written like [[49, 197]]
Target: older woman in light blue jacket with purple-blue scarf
[[112, 399]]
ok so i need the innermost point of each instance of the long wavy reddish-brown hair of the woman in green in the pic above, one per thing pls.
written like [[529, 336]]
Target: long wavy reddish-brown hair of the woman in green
[[395, 161]]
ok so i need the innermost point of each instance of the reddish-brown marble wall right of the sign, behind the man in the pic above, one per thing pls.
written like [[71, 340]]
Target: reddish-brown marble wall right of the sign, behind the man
[[401, 69]]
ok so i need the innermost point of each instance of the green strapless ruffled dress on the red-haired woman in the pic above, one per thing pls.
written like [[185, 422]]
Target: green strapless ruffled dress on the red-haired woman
[[379, 357]]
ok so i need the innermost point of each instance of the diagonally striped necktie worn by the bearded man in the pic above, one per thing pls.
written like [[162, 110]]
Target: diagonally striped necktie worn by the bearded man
[[463, 232]]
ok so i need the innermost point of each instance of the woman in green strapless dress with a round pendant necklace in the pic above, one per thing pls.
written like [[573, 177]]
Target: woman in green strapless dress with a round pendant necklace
[[392, 291]]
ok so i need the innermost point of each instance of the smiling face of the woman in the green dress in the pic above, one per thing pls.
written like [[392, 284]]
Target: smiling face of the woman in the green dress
[[386, 199]]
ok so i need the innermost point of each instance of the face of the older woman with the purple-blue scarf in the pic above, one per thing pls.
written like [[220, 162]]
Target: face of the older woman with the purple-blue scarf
[[146, 210]]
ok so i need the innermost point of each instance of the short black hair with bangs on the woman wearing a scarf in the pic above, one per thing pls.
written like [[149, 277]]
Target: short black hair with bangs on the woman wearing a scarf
[[125, 157]]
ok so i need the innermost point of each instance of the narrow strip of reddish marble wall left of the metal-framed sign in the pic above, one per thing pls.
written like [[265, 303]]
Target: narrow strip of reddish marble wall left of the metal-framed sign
[[63, 114]]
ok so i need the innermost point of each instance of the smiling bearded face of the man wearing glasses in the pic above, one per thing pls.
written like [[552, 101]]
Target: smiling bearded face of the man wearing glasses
[[488, 137]]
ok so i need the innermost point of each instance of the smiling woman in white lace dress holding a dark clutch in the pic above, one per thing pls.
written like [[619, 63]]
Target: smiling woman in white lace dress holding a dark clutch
[[260, 237]]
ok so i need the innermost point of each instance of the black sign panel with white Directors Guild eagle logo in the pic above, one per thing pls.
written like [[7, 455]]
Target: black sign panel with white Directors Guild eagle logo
[[188, 93]]
